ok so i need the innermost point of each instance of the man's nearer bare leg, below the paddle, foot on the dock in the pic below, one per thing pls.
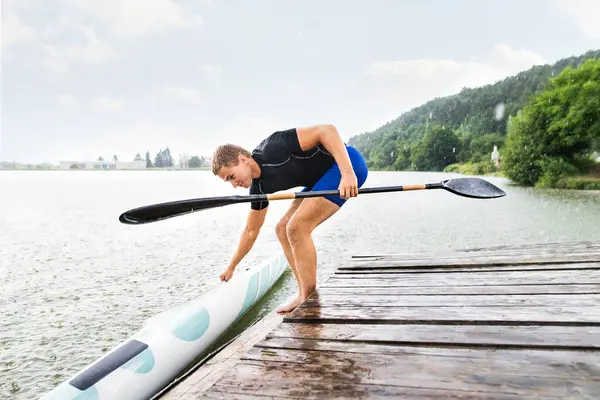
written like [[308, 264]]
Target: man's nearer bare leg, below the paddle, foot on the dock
[[311, 213]]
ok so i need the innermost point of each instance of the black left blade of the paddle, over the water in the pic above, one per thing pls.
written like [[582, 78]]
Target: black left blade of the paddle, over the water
[[157, 212]]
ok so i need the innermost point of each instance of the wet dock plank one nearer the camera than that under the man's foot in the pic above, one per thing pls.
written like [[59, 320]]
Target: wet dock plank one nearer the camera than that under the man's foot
[[454, 335]]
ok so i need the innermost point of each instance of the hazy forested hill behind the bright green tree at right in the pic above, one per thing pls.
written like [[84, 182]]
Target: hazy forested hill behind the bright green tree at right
[[476, 116]]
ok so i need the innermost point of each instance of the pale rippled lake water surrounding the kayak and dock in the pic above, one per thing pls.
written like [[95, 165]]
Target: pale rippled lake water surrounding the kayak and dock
[[75, 282]]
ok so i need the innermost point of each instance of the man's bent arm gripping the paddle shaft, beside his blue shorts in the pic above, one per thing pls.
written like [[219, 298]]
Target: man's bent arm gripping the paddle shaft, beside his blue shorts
[[329, 137]]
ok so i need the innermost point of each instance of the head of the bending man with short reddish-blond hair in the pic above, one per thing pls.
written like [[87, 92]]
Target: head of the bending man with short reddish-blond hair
[[234, 164]]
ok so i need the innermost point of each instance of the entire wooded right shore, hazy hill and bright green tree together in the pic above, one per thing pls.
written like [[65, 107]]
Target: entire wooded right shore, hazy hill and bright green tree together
[[544, 121]]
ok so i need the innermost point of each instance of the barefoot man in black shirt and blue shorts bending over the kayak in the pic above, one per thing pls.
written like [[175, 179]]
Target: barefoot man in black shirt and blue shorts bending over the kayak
[[314, 157]]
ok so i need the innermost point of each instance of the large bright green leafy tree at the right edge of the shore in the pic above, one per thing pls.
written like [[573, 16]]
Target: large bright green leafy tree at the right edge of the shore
[[553, 135]]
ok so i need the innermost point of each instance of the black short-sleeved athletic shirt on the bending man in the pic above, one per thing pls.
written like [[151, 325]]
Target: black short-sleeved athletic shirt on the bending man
[[284, 165]]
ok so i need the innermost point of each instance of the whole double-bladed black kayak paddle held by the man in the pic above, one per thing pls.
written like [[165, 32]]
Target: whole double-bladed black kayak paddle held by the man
[[468, 187]]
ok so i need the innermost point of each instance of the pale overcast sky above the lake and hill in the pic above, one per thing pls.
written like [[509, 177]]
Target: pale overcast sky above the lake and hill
[[84, 78]]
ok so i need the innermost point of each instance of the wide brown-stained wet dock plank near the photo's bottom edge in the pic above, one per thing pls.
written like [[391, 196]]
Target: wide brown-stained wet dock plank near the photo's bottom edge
[[525, 373]]
